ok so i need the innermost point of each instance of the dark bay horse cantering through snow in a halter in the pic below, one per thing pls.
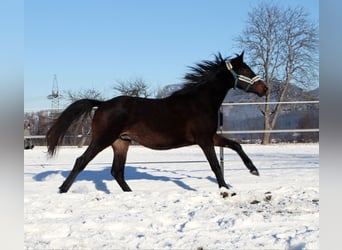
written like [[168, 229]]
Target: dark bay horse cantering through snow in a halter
[[188, 116]]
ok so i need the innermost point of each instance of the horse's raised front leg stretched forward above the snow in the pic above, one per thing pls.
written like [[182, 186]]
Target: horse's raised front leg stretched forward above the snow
[[224, 142]]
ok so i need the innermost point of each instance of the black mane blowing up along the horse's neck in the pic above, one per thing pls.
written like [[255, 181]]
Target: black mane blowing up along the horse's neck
[[200, 74]]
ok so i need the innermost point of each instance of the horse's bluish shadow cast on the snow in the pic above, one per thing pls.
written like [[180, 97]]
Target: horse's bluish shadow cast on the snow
[[131, 173]]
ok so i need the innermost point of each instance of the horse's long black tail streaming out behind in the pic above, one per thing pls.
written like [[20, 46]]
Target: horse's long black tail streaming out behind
[[56, 133]]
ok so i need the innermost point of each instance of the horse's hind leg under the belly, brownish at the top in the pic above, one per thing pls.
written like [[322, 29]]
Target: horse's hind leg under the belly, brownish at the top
[[120, 147]]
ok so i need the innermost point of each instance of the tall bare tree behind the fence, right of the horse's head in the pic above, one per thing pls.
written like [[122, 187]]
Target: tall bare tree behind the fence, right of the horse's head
[[283, 46]]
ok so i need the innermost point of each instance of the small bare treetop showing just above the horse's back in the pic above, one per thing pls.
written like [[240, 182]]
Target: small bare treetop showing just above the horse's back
[[136, 87]]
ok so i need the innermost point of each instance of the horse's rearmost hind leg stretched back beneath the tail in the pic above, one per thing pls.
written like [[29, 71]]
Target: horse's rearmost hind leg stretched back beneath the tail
[[80, 164]]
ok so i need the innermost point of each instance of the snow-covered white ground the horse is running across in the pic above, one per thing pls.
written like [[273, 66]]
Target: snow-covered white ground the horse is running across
[[174, 205]]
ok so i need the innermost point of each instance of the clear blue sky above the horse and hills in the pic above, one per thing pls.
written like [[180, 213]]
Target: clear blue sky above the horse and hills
[[94, 44]]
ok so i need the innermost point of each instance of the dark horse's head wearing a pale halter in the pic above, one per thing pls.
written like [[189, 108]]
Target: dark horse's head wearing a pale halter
[[244, 77]]
